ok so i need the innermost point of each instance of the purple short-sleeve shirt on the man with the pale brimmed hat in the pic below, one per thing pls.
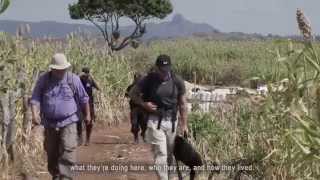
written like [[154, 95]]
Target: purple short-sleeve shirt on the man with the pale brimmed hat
[[59, 102]]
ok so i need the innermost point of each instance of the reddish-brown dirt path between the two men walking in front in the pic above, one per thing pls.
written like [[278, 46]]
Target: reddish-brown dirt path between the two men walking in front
[[113, 145]]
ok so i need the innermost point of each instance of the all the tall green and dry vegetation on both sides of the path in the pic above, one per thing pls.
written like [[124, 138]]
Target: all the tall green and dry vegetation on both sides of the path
[[278, 136]]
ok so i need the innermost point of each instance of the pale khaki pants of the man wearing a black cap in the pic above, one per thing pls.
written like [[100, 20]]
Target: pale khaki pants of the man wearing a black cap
[[162, 141]]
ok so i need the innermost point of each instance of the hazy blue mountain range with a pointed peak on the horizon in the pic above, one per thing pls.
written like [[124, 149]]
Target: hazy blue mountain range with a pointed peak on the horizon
[[178, 27]]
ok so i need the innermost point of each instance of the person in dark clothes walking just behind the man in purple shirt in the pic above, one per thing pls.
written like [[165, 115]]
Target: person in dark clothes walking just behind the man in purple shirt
[[88, 84]]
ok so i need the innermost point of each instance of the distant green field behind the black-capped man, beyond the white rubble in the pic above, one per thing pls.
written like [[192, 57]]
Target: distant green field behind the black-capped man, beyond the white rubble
[[216, 62]]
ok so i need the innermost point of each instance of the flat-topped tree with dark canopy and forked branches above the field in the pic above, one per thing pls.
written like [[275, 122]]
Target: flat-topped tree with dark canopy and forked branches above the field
[[106, 16]]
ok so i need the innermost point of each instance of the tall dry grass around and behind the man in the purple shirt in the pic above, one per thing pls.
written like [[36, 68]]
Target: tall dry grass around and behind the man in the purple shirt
[[21, 63]]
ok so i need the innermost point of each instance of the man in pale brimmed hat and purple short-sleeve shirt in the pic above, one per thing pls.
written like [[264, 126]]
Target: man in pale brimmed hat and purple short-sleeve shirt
[[59, 96]]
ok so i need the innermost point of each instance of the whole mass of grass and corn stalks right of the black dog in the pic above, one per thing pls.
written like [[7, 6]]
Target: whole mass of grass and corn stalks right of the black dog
[[280, 135]]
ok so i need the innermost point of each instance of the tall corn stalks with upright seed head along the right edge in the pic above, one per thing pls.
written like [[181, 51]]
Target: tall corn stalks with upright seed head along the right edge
[[295, 108]]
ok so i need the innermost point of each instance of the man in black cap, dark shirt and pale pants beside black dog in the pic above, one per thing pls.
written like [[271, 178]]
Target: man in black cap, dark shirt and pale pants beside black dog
[[162, 95]]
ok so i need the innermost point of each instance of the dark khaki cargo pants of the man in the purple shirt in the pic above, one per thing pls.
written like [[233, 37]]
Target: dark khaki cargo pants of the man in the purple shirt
[[60, 145]]
